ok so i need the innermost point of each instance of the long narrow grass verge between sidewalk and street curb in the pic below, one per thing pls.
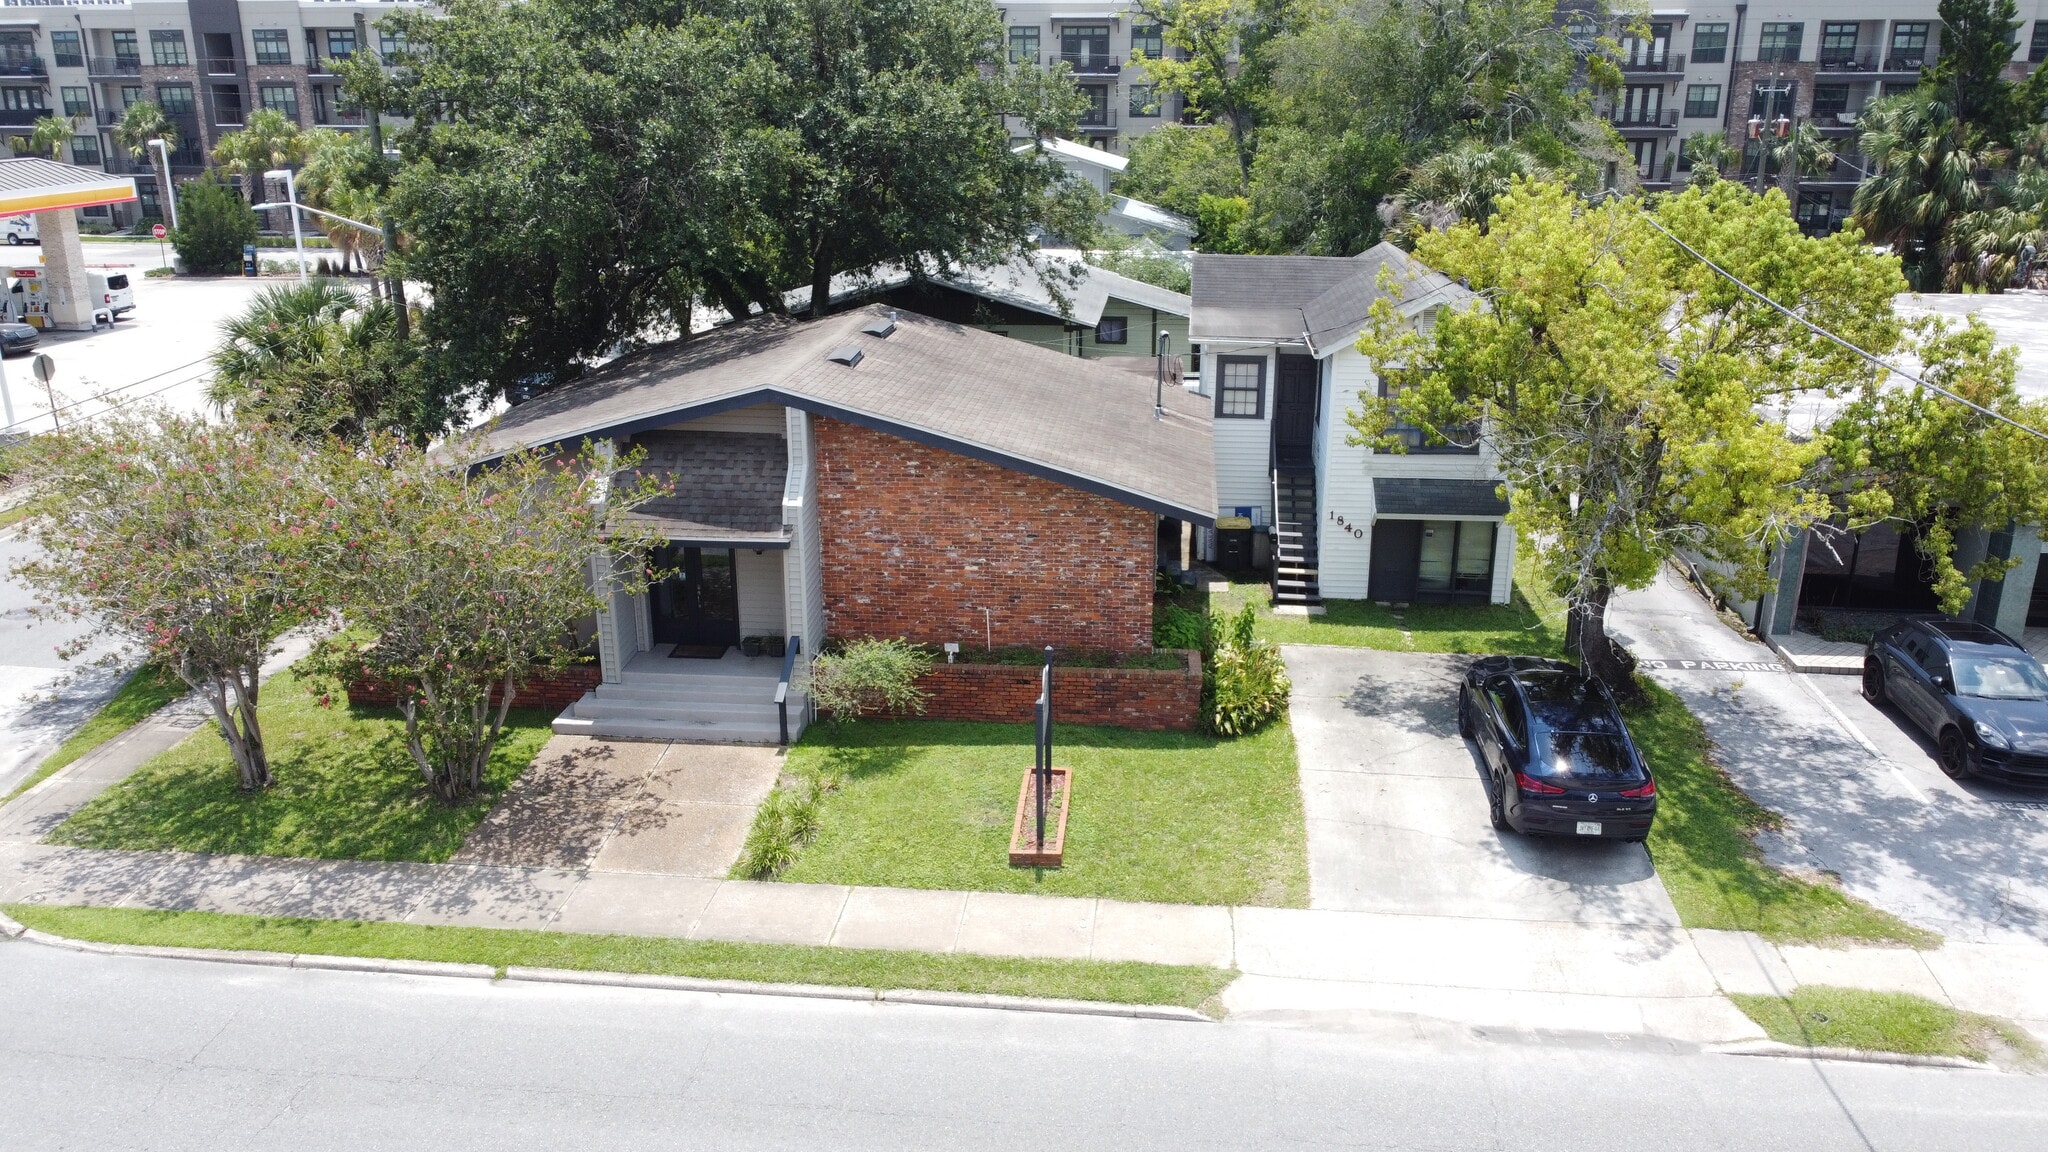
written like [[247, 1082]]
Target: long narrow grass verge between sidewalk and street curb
[[781, 964]]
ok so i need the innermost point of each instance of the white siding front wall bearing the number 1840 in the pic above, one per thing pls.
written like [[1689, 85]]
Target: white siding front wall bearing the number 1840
[[1345, 491]]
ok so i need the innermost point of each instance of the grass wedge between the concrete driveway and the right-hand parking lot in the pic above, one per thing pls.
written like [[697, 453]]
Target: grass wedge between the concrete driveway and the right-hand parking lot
[[1711, 866]]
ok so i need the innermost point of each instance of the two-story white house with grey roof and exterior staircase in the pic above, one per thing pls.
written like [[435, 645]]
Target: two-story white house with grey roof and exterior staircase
[[1279, 360]]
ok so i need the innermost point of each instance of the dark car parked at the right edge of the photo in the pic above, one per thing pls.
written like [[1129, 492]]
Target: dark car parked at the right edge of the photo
[[1979, 694]]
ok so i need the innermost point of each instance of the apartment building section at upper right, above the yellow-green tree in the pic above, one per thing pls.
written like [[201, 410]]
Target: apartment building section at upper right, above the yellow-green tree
[[1818, 63]]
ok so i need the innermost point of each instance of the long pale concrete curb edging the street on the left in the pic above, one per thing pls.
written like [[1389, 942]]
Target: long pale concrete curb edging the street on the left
[[9, 930]]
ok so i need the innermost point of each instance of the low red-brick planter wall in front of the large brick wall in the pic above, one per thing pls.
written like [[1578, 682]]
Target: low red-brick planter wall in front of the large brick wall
[[1150, 700]]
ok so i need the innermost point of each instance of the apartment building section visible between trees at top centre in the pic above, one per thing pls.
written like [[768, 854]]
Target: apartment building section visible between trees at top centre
[[1097, 42]]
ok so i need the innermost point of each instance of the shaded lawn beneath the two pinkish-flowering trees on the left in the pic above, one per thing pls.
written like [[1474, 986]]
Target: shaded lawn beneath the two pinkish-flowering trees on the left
[[345, 790]]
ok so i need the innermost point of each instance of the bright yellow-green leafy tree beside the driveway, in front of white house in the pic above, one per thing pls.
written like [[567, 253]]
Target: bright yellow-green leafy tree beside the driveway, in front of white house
[[1625, 388]]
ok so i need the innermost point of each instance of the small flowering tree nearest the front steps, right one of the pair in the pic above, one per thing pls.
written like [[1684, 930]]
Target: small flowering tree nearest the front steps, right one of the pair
[[464, 577]]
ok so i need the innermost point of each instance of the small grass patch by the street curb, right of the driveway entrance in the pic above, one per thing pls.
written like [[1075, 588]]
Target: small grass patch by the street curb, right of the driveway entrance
[[1818, 1016]]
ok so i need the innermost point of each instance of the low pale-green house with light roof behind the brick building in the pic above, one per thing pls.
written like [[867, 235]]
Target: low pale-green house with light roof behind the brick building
[[1103, 317]]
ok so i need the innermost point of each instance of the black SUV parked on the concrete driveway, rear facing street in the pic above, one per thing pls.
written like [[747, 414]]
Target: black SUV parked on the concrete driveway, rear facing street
[[1560, 759]]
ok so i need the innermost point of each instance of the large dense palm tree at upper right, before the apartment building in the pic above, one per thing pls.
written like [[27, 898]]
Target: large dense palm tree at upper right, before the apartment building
[[1928, 167]]
